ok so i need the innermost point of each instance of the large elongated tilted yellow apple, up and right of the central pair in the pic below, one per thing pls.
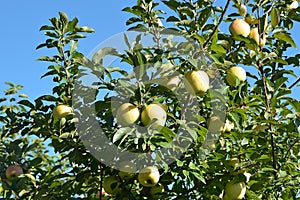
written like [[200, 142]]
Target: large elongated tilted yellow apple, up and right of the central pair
[[196, 82]]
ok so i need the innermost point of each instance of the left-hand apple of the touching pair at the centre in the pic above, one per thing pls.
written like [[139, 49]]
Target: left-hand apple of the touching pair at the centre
[[127, 114]]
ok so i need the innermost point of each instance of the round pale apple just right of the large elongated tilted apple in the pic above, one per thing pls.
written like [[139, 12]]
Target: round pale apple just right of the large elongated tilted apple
[[234, 74]]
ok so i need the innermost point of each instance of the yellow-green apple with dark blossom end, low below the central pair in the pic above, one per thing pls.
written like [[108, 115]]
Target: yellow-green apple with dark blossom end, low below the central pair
[[149, 176]]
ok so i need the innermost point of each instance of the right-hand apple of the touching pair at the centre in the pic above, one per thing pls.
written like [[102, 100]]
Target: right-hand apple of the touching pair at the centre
[[155, 115]]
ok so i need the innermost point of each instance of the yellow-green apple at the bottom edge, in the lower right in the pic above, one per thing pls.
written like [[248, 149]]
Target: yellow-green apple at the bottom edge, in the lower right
[[234, 190]]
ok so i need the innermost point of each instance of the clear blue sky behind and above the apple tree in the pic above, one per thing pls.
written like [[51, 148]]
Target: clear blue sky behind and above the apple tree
[[19, 36]]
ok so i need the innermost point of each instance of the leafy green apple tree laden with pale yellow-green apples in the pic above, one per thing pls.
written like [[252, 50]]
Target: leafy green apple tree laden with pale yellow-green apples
[[211, 115]]
